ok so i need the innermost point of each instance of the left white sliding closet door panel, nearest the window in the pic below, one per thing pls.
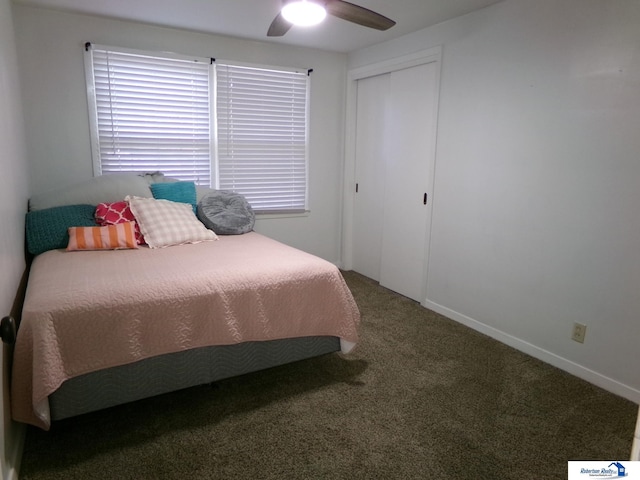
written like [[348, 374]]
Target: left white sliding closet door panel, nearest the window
[[372, 99]]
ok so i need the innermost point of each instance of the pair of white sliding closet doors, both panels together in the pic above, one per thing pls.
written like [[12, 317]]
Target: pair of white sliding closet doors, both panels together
[[398, 146]]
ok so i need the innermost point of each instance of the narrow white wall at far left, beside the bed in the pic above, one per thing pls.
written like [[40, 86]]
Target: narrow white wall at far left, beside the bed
[[13, 204]]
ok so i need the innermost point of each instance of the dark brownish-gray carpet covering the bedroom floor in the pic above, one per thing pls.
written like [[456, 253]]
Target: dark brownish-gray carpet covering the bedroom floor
[[422, 397]]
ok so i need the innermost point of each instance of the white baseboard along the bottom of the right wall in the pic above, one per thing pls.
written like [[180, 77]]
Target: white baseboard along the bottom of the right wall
[[573, 368]]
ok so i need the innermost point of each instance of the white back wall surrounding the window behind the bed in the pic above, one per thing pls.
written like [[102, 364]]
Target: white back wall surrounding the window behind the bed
[[50, 48]]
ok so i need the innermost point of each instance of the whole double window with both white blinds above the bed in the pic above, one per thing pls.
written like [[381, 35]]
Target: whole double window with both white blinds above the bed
[[232, 127]]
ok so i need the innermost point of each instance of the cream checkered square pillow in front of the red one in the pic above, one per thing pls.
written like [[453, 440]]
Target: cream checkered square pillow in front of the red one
[[164, 223]]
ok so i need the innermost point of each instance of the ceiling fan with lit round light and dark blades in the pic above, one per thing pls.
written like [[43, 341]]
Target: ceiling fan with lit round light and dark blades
[[311, 12]]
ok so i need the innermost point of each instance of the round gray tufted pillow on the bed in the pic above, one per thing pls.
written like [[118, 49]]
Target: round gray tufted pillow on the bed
[[226, 213]]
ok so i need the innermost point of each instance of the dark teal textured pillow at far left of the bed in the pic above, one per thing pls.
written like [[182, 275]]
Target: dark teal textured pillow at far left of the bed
[[48, 229]]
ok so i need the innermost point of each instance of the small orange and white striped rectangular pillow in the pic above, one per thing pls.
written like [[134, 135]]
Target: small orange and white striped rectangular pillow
[[109, 237]]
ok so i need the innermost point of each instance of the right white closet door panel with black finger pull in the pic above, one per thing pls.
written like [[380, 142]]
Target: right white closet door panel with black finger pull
[[410, 133]]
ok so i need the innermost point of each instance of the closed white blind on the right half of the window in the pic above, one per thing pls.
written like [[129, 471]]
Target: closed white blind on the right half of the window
[[262, 135]]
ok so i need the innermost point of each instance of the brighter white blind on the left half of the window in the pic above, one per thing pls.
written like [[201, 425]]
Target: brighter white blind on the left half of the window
[[150, 114]]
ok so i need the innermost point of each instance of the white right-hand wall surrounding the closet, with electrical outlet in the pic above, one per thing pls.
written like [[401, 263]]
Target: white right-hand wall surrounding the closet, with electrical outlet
[[537, 187]]
